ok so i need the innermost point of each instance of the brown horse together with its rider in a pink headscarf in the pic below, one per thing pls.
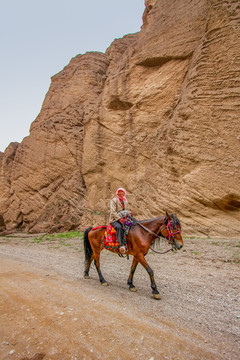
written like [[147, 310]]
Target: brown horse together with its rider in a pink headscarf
[[139, 239]]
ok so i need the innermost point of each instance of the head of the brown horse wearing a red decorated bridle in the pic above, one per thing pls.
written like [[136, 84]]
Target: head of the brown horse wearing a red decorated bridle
[[171, 230]]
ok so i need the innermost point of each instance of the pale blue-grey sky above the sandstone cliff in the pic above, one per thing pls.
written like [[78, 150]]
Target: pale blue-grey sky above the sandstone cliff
[[39, 37]]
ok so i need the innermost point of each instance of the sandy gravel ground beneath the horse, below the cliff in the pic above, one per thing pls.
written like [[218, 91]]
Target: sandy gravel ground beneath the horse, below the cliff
[[49, 311]]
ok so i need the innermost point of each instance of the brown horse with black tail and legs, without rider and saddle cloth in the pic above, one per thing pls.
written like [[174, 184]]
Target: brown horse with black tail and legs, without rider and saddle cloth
[[139, 239]]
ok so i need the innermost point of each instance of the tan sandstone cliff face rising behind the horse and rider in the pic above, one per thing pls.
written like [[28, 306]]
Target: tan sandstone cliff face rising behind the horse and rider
[[158, 114]]
